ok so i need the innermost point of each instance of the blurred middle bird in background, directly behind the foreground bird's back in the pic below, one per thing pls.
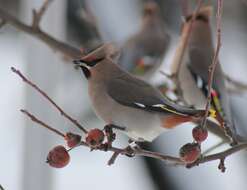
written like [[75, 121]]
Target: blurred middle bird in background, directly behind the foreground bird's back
[[142, 53]]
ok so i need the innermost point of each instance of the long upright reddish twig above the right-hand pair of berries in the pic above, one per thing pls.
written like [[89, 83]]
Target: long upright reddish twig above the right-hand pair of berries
[[212, 67]]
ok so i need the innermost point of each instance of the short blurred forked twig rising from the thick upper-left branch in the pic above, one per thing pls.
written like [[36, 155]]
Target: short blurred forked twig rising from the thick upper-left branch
[[37, 15]]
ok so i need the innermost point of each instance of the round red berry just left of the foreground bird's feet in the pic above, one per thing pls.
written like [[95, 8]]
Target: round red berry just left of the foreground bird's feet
[[95, 137]]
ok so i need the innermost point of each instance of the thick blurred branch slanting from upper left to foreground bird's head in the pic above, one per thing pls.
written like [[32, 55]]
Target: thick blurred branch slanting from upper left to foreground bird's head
[[65, 49]]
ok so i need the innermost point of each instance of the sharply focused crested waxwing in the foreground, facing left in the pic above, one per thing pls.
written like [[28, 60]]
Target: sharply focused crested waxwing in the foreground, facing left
[[123, 100]]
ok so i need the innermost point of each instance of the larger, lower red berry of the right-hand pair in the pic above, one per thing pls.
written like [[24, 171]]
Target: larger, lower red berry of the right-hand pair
[[190, 152]]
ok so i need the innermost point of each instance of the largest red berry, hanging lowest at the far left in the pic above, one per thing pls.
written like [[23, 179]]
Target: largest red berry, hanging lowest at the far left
[[58, 157]]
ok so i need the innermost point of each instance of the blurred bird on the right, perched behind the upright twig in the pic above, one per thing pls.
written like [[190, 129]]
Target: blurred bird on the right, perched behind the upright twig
[[193, 73]]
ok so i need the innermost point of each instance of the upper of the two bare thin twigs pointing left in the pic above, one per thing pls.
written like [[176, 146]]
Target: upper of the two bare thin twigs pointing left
[[34, 86]]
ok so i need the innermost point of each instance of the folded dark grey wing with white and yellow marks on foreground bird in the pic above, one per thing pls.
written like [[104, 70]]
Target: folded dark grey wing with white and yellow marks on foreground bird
[[130, 91]]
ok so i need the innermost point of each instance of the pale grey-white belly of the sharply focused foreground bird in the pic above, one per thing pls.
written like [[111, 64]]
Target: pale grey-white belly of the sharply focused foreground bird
[[140, 125]]
